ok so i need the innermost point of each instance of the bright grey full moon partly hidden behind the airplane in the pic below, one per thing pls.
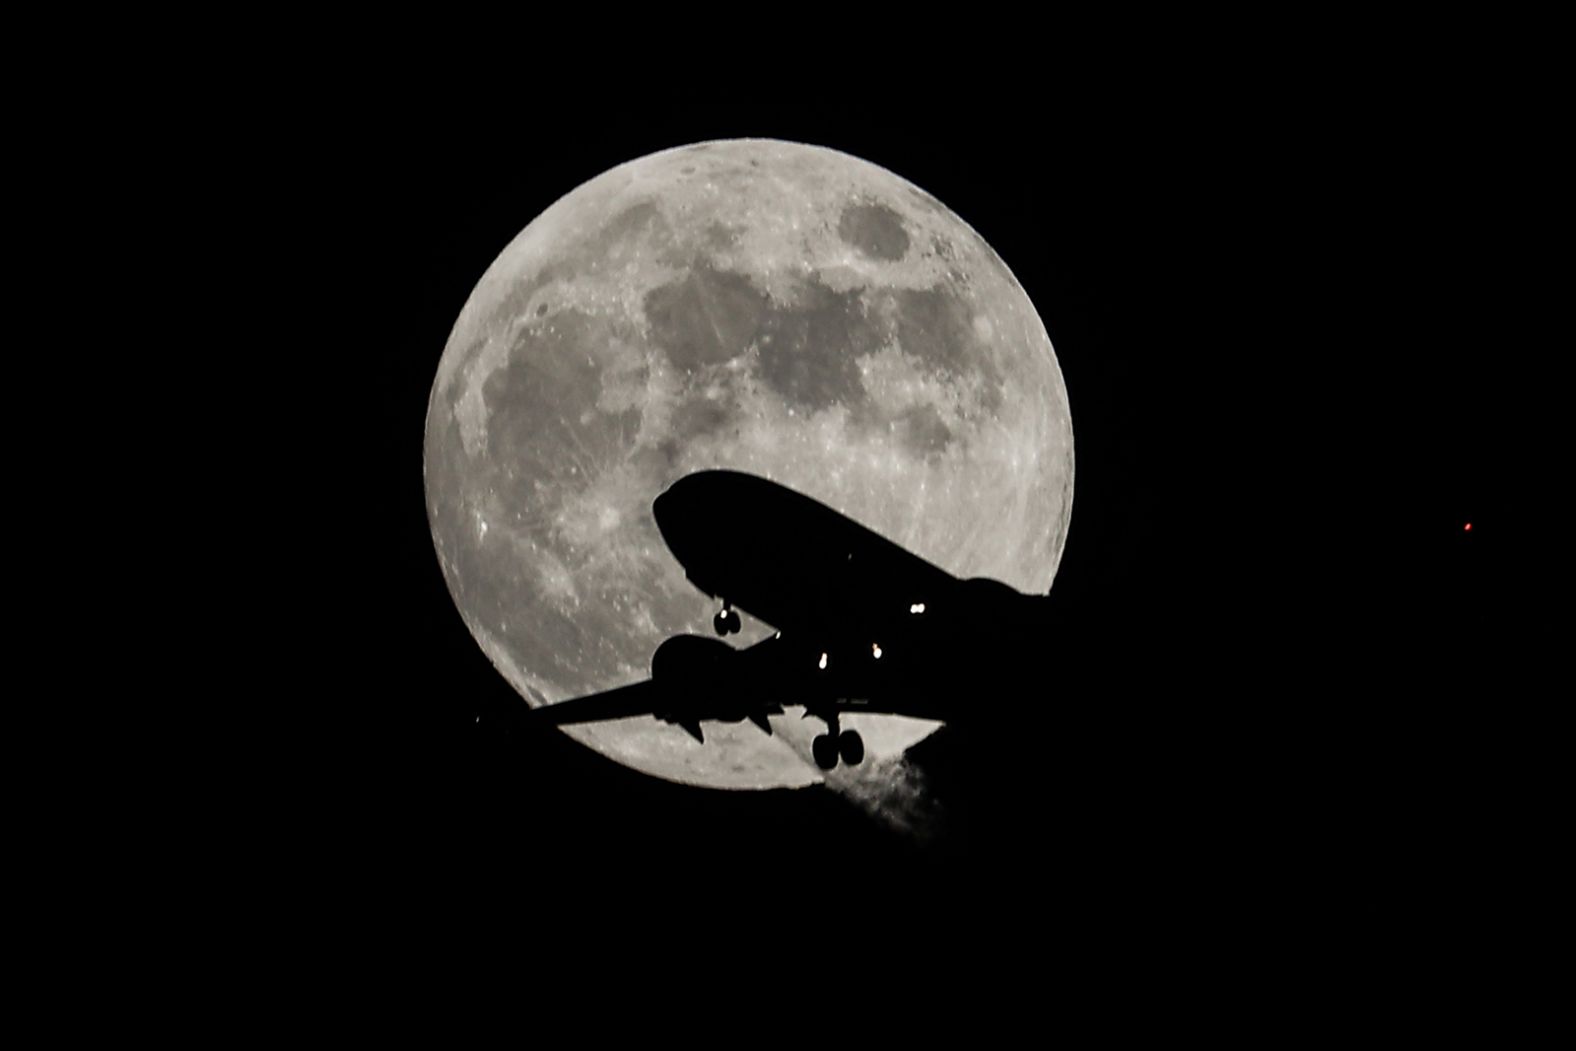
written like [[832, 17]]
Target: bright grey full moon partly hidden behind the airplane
[[754, 305]]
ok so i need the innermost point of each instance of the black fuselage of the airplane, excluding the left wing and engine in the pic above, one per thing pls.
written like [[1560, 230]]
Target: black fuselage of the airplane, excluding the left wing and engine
[[863, 622]]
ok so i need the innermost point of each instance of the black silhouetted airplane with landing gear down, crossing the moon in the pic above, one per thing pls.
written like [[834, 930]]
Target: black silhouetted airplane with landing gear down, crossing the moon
[[864, 625]]
